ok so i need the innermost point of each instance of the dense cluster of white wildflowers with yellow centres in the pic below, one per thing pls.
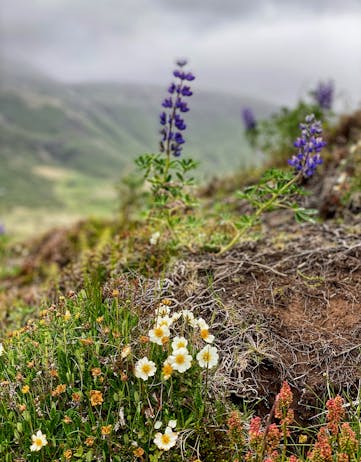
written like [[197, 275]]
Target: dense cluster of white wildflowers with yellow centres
[[179, 359]]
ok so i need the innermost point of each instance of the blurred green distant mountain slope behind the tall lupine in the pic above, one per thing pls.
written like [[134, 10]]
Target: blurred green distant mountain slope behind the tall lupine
[[95, 130]]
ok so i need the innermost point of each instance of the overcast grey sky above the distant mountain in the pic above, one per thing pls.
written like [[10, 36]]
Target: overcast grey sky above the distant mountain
[[273, 49]]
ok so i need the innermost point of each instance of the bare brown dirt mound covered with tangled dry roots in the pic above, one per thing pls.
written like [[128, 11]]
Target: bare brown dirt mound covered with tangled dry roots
[[283, 308]]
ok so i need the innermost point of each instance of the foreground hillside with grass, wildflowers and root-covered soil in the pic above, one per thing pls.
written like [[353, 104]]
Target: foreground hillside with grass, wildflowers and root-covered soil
[[281, 309]]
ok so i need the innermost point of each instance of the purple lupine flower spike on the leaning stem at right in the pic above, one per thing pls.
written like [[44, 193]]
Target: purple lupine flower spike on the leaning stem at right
[[309, 146]]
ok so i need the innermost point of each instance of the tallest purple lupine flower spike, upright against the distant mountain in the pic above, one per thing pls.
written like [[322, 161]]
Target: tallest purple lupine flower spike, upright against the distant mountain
[[172, 119]]
